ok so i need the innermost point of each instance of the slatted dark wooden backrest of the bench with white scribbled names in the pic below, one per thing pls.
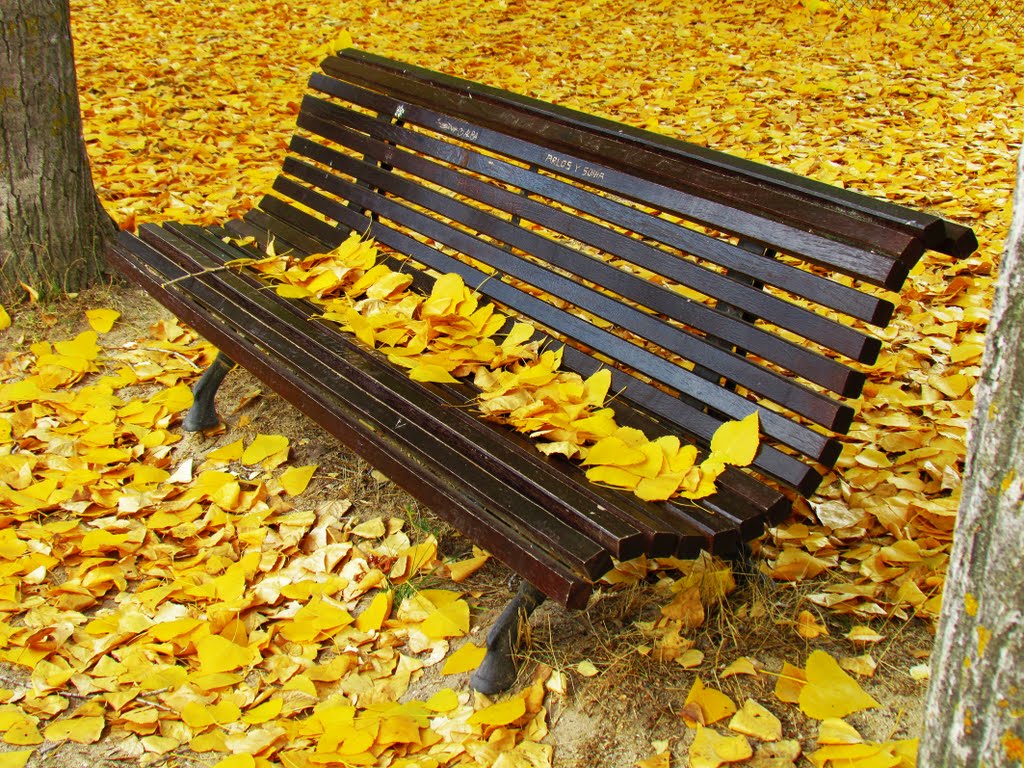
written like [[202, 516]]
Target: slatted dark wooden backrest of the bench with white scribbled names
[[714, 286]]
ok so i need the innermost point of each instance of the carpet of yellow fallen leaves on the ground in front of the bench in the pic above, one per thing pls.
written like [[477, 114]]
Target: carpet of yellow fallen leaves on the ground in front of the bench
[[189, 606]]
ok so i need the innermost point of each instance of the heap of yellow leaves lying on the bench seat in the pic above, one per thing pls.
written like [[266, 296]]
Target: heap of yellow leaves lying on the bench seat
[[451, 334]]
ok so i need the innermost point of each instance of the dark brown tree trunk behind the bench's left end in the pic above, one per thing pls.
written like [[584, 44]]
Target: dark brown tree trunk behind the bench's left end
[[53, 227]]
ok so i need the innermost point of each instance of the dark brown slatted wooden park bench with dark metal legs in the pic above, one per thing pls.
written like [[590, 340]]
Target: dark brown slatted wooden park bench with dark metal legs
[[711, 286]]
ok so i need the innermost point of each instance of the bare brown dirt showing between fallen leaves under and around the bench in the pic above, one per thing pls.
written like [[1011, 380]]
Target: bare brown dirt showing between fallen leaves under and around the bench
[[626, 712]]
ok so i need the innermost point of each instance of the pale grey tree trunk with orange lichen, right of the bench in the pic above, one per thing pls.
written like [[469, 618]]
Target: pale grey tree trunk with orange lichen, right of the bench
[[975, 714]]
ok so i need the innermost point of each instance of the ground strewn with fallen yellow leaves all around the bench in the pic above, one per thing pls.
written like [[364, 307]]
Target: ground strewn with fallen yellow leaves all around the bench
[[189, 603]]
